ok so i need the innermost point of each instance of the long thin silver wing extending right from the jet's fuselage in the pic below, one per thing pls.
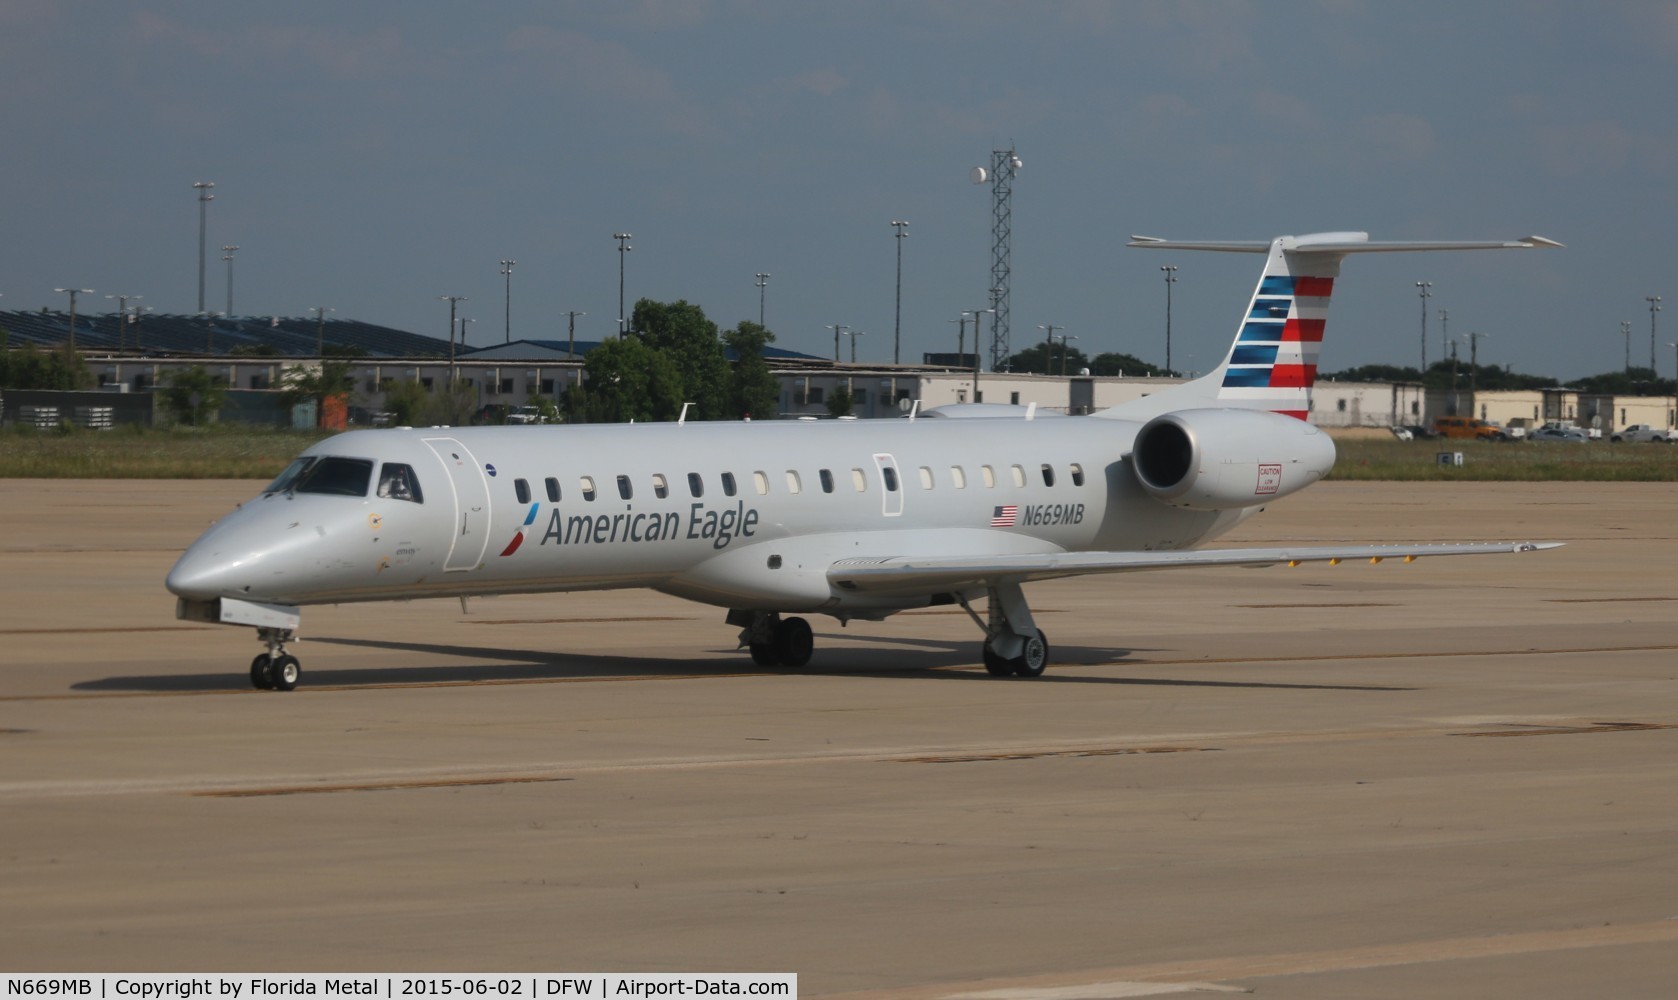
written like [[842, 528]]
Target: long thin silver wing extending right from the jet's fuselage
[[917, 575]]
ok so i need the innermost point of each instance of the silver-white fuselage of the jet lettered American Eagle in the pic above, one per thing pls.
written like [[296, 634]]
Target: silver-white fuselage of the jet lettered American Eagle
[[731, 514]]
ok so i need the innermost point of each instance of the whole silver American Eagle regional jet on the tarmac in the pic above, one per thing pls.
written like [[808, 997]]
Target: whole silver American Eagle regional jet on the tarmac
[[779, 519]]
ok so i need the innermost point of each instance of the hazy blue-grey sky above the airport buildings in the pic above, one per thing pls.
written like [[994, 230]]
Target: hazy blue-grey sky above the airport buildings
[[373, 157]]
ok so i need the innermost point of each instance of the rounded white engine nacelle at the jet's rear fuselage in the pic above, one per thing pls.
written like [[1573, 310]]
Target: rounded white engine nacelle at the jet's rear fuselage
[[1229, 459]]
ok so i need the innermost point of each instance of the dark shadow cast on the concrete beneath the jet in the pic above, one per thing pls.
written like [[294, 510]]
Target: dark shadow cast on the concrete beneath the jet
[[930, 660]]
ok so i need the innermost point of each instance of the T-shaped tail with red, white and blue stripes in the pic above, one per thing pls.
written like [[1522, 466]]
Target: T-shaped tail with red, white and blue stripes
[[1273, 363]]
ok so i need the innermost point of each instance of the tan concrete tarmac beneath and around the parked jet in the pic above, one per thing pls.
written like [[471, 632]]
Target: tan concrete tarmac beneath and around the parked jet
[[1449, 779]]
